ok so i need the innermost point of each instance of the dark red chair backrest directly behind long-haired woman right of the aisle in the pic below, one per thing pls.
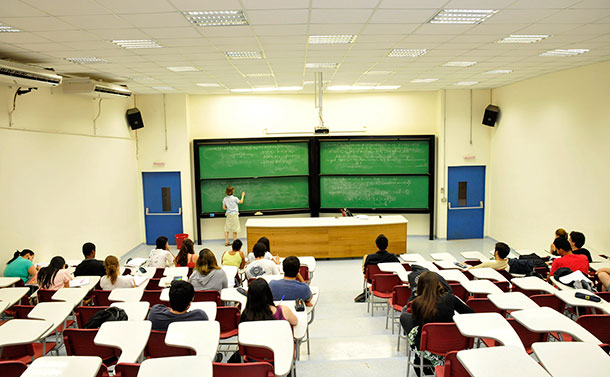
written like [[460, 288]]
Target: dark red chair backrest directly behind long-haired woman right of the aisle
[[442, 338]]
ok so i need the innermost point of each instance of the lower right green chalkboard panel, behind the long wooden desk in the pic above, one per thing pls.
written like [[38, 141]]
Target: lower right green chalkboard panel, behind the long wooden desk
[[374, 192]]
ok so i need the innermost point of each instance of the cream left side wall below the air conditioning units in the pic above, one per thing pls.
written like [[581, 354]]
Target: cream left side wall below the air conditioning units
[[64, 181]]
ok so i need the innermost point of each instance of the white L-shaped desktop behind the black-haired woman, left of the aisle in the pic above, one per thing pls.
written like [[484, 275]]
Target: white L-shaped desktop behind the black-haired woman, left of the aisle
[[274, 335]]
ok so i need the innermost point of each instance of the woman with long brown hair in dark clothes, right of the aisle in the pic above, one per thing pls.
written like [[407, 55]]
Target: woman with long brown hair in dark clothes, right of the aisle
[[433, 304]]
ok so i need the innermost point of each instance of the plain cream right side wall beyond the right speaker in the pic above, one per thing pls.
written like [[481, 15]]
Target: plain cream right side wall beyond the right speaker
[[549, 158]]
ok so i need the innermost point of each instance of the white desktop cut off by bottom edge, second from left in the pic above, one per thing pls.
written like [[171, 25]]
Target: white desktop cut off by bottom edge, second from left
[[200, 366]]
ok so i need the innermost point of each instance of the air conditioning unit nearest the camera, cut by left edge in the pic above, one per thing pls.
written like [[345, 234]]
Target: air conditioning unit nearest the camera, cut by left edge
[[27, 75]]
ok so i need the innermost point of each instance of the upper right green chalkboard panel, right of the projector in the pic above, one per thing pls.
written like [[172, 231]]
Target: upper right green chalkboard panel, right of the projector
[[374, 157]]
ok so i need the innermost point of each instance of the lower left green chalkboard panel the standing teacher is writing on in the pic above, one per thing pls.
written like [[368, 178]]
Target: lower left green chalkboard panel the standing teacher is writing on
[[261, 193]]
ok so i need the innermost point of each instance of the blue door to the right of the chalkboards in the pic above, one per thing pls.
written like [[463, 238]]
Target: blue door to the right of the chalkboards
[[465, 208]]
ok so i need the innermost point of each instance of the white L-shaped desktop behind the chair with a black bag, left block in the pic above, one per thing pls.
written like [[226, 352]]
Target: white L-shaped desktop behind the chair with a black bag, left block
[[129, 336]]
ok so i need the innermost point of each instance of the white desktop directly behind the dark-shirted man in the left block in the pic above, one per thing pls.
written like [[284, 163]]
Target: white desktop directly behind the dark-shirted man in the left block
[[200, 336]]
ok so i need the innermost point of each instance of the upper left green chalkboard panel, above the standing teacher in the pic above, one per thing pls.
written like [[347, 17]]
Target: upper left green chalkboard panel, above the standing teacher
[[253, 160]]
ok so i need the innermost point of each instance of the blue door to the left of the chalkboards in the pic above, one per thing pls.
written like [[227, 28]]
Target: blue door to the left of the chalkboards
[[162, 205]]
